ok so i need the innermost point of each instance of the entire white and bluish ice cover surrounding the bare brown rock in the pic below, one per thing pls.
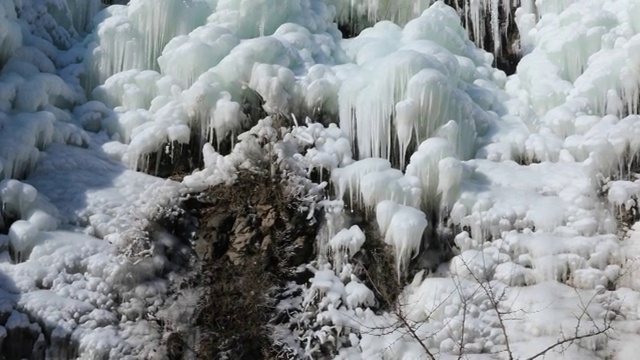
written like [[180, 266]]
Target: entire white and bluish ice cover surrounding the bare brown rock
[[533, 174]]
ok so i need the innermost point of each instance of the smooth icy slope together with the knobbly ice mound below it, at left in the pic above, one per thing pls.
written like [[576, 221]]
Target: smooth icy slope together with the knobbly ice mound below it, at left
[[70, 279]]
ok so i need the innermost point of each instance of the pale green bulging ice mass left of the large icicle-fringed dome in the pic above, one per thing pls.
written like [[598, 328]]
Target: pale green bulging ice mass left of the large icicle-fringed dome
[[229, 64]]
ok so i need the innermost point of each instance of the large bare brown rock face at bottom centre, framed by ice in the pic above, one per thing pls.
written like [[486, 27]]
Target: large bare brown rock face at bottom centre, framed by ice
[[250, 240]]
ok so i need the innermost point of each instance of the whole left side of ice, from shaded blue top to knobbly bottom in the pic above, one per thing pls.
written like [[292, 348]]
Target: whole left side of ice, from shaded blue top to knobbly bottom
[[75, 280]]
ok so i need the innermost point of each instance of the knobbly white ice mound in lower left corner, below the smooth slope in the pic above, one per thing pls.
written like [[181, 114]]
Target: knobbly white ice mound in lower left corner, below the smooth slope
[[75, 284]]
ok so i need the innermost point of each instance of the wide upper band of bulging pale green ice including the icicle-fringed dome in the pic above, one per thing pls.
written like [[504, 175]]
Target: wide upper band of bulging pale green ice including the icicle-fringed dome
[[300, 66]]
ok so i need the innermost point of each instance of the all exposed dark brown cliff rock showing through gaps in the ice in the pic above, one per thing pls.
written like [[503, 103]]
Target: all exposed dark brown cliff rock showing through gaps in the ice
[[251, 243]]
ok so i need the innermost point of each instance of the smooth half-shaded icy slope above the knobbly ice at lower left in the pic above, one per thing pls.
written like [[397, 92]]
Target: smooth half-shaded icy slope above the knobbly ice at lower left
[[109, 199]]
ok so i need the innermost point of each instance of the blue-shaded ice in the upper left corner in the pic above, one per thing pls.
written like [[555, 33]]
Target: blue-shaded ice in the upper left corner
[[38, 84]]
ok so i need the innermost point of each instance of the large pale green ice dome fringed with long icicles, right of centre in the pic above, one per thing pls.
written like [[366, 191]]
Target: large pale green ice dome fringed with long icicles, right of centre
[[416, 92]]
